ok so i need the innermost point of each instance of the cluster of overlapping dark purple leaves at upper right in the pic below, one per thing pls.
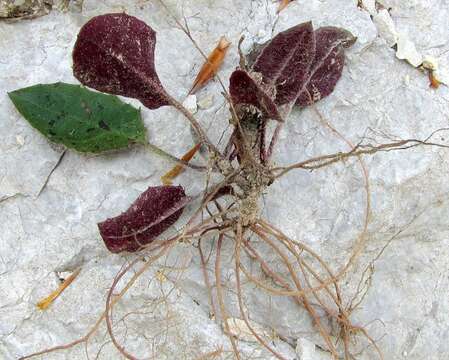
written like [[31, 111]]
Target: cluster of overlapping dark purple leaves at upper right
[[298, 66]]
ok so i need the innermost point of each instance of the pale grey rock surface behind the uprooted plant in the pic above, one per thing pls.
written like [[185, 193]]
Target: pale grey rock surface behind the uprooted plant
[[50, 201]]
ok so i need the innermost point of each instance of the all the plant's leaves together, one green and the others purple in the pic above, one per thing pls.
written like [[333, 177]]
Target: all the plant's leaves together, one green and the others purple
[[114, 53]]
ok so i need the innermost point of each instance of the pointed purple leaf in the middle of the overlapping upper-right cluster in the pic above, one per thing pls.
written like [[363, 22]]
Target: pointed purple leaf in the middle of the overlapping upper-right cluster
[[285, 62]]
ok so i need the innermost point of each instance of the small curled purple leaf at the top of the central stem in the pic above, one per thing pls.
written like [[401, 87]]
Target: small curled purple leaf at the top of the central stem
[[245, 90]]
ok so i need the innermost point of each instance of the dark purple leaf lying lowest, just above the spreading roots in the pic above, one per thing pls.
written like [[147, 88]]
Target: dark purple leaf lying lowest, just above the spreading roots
[[152, 213]]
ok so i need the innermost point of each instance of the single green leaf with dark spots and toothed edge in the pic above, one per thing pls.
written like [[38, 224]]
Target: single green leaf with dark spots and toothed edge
[[79, 118]]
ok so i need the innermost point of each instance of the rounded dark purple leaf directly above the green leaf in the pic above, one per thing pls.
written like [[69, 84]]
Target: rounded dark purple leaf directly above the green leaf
[[114, 53]]
